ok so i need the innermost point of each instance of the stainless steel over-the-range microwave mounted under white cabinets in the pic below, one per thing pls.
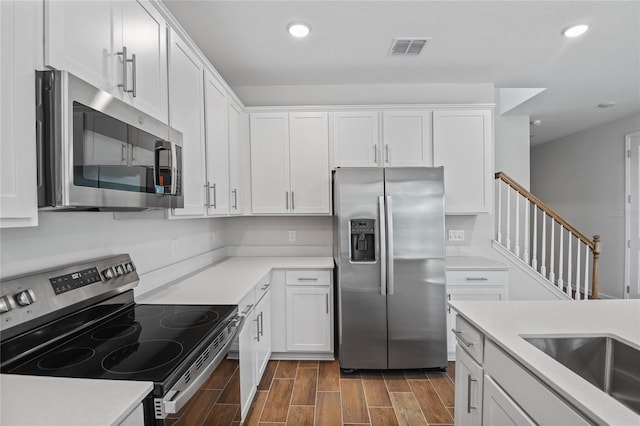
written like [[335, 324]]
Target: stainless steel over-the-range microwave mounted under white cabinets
[[96, 152]]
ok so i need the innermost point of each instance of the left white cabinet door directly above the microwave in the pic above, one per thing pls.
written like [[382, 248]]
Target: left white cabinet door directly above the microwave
[[79, 38]]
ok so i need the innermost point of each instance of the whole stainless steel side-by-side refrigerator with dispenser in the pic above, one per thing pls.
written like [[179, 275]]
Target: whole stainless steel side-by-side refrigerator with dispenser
[[390, 266]]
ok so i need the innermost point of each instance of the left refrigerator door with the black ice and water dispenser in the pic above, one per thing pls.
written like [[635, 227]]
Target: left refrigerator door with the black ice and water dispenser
[[362, 306]]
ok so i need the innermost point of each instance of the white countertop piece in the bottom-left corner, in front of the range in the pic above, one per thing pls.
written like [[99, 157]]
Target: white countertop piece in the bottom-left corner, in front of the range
[[52, 401]]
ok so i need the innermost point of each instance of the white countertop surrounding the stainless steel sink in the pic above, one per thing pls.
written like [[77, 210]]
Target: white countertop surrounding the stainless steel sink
[[504, 322]]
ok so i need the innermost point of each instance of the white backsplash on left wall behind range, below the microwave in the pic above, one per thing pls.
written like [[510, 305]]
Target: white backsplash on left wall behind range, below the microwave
[[67, 237]]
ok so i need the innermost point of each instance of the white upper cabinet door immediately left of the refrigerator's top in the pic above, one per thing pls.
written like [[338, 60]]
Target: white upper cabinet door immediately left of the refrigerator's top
[[309, 162]]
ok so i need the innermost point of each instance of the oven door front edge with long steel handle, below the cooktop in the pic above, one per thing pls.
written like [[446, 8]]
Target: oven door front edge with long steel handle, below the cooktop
[[189, 383]]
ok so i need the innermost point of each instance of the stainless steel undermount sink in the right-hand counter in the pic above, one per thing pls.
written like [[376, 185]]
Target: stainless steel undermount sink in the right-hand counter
[[605, 362]]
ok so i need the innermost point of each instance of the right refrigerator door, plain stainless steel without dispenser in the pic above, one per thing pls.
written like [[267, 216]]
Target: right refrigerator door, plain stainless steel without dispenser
[[416, 300]]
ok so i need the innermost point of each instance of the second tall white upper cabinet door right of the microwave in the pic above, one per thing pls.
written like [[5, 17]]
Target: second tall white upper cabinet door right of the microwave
[[216, 135]]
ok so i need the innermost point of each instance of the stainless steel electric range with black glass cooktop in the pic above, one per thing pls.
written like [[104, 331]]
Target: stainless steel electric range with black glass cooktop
[[81, 321]]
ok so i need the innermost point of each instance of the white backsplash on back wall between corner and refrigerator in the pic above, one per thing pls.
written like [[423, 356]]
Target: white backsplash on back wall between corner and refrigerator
[[269, 236]]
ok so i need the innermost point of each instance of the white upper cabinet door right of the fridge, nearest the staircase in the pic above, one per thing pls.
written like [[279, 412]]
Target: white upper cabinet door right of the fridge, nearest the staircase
[[462, 144]]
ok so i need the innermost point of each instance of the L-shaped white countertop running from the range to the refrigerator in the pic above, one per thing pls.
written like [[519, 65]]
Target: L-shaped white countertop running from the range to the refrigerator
[[229, 281]]
